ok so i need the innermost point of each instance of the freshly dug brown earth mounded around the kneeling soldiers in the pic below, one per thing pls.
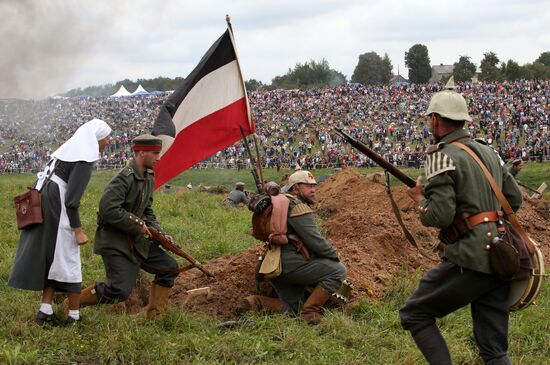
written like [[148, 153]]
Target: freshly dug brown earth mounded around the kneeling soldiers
[[359, 221]]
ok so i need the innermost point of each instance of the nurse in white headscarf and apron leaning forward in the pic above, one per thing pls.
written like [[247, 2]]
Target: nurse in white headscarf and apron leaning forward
[[48, 255]]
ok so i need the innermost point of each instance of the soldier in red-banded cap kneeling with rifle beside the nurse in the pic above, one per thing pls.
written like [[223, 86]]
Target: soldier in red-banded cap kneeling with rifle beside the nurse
[[125, 211]]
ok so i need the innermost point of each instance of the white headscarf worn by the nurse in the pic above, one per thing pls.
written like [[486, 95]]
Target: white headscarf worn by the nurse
[[83, 145]]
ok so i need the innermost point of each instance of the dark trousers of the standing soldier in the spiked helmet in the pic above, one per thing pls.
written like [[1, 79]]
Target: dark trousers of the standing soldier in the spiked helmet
[[448, 287]]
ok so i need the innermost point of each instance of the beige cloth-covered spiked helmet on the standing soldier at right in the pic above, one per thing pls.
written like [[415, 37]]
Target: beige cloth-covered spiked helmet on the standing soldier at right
[[449, 104]]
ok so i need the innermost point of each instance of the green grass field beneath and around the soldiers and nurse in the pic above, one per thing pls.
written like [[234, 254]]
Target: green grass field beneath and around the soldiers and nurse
[[368, 333]]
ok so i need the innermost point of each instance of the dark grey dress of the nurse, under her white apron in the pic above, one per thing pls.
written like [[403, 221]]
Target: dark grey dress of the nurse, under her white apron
[[38, 244]]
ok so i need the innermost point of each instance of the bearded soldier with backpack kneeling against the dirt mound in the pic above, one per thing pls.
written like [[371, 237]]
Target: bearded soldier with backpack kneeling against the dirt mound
[[324, 271]]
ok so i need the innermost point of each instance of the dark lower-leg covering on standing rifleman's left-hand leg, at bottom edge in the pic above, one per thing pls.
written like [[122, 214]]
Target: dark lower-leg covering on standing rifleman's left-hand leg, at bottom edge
[[432, 345]]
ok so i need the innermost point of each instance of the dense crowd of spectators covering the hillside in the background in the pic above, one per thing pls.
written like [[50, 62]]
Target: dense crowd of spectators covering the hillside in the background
[[295, 127]]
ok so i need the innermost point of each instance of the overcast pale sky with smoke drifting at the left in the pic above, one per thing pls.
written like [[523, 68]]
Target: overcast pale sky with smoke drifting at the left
[[51, 46]]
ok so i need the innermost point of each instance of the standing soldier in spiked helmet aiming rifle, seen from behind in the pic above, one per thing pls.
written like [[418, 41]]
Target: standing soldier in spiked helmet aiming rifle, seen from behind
[[458, 189]]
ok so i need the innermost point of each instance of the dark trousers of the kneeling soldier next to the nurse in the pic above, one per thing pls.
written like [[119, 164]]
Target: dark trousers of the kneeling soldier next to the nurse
[[121, 274]]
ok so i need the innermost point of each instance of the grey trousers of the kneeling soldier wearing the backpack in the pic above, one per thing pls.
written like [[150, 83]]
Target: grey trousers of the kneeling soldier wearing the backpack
[[290, 286]]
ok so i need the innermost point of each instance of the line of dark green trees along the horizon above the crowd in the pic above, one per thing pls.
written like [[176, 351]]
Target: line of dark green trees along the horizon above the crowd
[[371, 69]]
